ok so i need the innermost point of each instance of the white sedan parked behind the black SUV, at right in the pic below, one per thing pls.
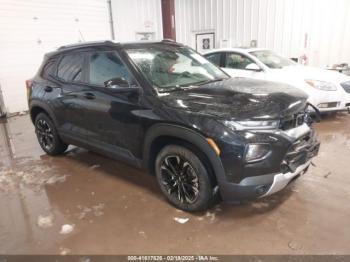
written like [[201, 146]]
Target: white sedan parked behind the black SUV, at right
[[327, 90]]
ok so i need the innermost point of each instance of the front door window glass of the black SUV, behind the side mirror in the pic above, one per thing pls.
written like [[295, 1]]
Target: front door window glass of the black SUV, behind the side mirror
[[105, 66]]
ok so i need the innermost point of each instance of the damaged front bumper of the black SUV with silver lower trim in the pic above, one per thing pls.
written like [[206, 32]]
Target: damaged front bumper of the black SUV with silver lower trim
[[295, 162]]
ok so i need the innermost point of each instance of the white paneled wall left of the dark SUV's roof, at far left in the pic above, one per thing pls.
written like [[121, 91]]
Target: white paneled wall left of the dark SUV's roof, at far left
[[30, 28]]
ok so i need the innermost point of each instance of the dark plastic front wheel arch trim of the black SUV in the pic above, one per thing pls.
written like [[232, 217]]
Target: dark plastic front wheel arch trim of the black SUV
[[161, 135]]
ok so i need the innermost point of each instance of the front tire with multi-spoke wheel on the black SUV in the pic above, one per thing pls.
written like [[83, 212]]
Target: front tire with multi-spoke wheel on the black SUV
[[183, 179]]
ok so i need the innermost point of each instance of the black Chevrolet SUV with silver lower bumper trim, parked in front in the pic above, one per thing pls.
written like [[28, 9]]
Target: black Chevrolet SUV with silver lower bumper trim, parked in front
[[164, 107]]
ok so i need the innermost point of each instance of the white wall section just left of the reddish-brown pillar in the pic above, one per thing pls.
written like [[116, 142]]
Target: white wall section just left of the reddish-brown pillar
[[133, 16]]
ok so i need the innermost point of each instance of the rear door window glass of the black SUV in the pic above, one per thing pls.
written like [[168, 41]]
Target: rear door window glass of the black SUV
[[70, 68]]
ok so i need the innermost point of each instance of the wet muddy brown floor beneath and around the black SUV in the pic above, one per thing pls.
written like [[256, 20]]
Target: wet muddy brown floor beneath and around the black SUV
[[108, 207]]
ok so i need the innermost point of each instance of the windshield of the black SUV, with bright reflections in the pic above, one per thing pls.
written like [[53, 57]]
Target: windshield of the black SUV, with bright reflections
[[169, 68]]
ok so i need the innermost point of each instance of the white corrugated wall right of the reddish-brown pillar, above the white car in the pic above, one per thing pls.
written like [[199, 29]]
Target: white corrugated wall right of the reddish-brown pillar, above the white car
[[280, 25]]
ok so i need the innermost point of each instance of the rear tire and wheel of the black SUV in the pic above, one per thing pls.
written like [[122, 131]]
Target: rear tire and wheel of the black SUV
[[47, 135]]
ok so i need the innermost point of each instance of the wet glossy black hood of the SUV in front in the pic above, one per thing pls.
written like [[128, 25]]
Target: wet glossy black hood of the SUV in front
[[239, 98]]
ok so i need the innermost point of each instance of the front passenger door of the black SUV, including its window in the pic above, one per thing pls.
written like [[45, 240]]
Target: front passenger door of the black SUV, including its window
[[111, 115]]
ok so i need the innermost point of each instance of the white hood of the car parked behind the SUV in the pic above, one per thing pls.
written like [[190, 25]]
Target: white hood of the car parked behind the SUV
[[308, 72]]
